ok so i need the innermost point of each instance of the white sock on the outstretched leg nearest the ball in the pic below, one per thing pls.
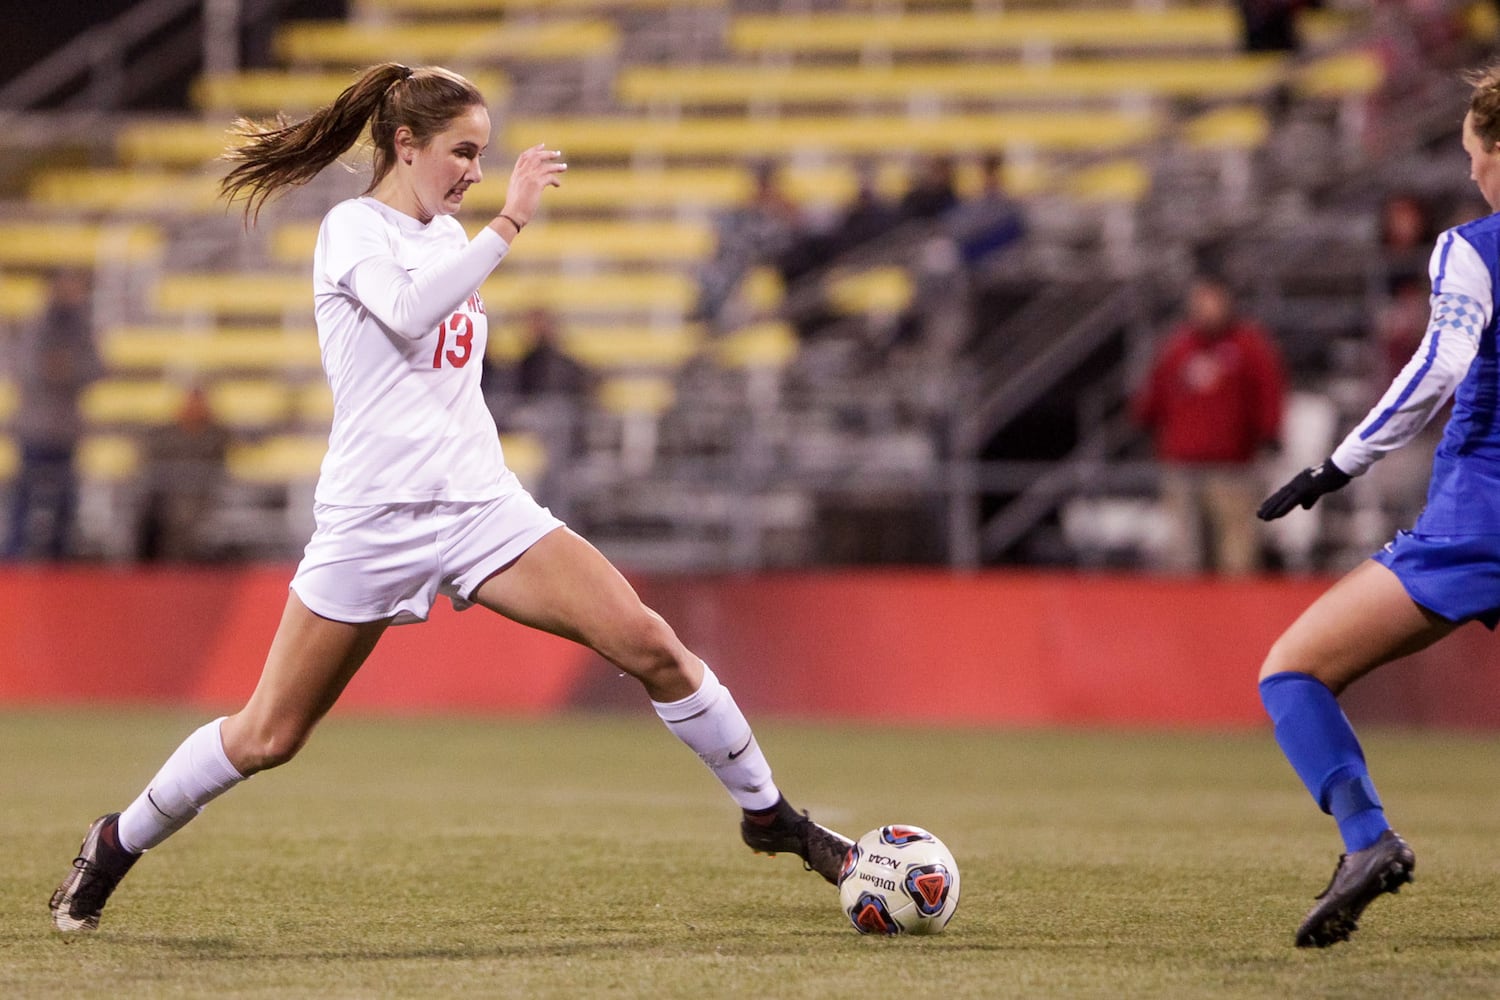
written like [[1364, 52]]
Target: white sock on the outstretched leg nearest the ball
[[716, 729]]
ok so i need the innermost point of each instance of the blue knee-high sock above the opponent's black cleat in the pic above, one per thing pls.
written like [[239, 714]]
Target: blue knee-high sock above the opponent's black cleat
[[1318, 740]]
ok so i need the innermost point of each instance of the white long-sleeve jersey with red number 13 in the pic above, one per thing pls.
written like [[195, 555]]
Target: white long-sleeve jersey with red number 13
[[403, 332]]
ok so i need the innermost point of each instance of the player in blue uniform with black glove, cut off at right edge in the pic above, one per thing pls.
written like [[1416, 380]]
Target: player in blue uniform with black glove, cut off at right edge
[[1424, 584]]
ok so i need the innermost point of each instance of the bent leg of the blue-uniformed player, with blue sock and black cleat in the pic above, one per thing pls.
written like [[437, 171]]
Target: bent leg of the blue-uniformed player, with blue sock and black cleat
[[1361, 623]]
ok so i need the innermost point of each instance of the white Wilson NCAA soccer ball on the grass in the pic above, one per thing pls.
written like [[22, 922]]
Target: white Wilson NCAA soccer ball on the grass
[[899, 881]]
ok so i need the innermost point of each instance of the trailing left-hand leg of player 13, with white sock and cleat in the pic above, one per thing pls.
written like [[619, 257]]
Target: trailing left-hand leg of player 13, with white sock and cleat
[[307, 669]]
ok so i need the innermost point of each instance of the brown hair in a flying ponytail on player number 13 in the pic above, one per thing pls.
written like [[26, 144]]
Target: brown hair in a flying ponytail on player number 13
[[386, 98]]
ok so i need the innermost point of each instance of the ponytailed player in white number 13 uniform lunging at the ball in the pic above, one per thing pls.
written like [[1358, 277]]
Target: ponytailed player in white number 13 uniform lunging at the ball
[[415, 499]]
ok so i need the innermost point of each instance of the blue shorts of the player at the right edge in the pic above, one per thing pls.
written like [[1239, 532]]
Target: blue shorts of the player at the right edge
[[1453, 576]]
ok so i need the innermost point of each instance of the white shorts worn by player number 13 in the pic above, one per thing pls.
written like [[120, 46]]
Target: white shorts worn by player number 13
[[394, 560]]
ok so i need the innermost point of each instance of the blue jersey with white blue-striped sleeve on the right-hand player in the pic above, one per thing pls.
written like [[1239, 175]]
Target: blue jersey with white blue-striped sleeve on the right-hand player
[[1459, 361]]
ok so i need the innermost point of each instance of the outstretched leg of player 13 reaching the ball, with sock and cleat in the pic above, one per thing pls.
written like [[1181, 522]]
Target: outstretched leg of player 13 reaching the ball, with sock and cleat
[[566, 587]]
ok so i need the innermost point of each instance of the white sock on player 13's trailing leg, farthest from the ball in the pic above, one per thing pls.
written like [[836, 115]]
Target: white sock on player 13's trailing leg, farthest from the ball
[[193, 777]]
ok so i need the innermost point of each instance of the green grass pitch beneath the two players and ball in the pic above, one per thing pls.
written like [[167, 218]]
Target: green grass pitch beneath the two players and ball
[[598, 858]]
